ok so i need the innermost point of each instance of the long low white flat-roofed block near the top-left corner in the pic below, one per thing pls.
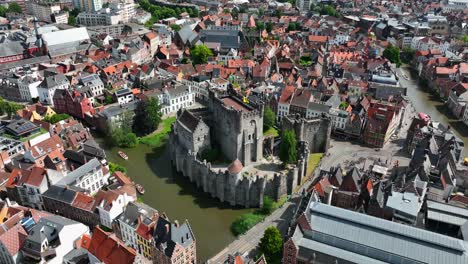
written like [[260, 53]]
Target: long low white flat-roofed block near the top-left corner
[[105, 16]]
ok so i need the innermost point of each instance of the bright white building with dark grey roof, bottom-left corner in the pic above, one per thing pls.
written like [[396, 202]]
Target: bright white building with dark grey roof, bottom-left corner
[[52, 238]]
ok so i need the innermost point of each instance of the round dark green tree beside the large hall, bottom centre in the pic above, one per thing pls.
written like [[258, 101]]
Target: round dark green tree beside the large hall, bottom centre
[[271, 245]]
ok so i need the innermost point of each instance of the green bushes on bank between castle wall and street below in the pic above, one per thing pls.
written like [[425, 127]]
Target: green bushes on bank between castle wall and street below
[[246, 221]]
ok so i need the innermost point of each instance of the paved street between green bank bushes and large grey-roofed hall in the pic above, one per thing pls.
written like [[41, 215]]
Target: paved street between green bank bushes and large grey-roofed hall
[[249, 241]]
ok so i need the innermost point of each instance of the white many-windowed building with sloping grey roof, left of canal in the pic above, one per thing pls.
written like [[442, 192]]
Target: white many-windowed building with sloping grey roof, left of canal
[[91, 176]]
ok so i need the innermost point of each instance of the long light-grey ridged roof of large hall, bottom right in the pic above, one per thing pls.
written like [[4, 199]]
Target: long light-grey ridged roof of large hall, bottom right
[[378, 239]]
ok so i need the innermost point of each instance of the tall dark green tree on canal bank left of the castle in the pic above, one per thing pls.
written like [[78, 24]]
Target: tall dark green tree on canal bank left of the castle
[[148, 116]]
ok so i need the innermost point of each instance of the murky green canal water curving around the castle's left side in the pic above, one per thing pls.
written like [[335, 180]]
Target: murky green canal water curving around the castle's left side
[[175, 195]]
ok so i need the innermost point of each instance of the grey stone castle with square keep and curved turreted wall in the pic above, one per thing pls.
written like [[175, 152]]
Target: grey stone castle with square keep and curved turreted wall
[[236, 128]]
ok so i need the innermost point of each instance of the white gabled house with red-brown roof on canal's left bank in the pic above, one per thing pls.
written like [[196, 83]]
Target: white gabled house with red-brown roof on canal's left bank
[[111, 205]]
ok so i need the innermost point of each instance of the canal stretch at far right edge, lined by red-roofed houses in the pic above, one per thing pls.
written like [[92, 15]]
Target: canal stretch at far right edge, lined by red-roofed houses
[[424, 101]]
